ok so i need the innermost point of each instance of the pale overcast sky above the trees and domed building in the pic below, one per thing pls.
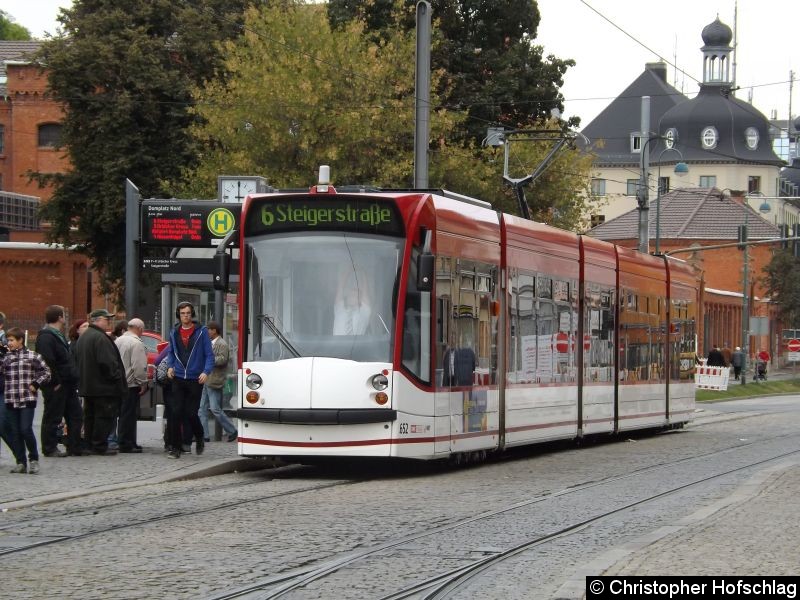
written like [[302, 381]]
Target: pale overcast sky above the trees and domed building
[[608, 60]]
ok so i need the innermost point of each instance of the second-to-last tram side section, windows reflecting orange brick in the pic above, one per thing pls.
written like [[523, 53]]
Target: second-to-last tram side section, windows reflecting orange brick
[[642, 397]]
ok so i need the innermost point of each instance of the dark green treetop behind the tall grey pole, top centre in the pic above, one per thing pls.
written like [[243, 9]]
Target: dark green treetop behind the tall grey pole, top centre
[[493, 69]]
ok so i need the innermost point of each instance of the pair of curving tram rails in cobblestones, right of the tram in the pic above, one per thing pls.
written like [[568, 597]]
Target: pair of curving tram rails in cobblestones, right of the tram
[[444, 584]]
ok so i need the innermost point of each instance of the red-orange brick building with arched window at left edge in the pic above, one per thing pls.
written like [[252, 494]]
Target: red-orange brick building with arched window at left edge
[[35, 274]]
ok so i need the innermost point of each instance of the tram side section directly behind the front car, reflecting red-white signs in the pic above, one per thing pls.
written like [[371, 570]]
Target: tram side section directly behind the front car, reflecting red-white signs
[[541, 391]]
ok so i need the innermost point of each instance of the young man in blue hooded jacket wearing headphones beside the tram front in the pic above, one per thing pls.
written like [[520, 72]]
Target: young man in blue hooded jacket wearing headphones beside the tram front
[[190, 361]]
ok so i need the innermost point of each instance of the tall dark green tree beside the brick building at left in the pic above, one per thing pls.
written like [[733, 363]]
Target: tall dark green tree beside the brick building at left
[[123, 72]]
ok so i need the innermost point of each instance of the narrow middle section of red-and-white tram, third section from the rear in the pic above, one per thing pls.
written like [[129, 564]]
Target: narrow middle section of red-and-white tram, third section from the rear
[[599, 272]]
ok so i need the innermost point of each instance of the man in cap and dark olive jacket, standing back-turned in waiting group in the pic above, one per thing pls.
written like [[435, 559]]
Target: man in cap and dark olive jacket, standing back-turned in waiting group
[[102, 381]]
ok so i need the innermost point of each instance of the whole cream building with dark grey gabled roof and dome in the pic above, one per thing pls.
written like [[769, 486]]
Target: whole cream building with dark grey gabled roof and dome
[[724, 141]]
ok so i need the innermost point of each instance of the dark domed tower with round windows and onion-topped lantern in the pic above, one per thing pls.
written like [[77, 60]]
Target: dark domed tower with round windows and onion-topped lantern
[[726, 137]]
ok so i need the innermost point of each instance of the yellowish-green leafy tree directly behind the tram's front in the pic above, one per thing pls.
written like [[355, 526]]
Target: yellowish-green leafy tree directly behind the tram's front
[[295, 100]]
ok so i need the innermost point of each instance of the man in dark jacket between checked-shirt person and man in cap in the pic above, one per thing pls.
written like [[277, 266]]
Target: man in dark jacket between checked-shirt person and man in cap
[[61, 393]]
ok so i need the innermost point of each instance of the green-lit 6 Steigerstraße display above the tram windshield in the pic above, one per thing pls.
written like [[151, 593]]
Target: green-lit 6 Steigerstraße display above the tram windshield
[[315, 213]]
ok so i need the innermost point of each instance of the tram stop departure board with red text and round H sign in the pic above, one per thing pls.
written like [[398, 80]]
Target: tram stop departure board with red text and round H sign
[[183, 224]]
